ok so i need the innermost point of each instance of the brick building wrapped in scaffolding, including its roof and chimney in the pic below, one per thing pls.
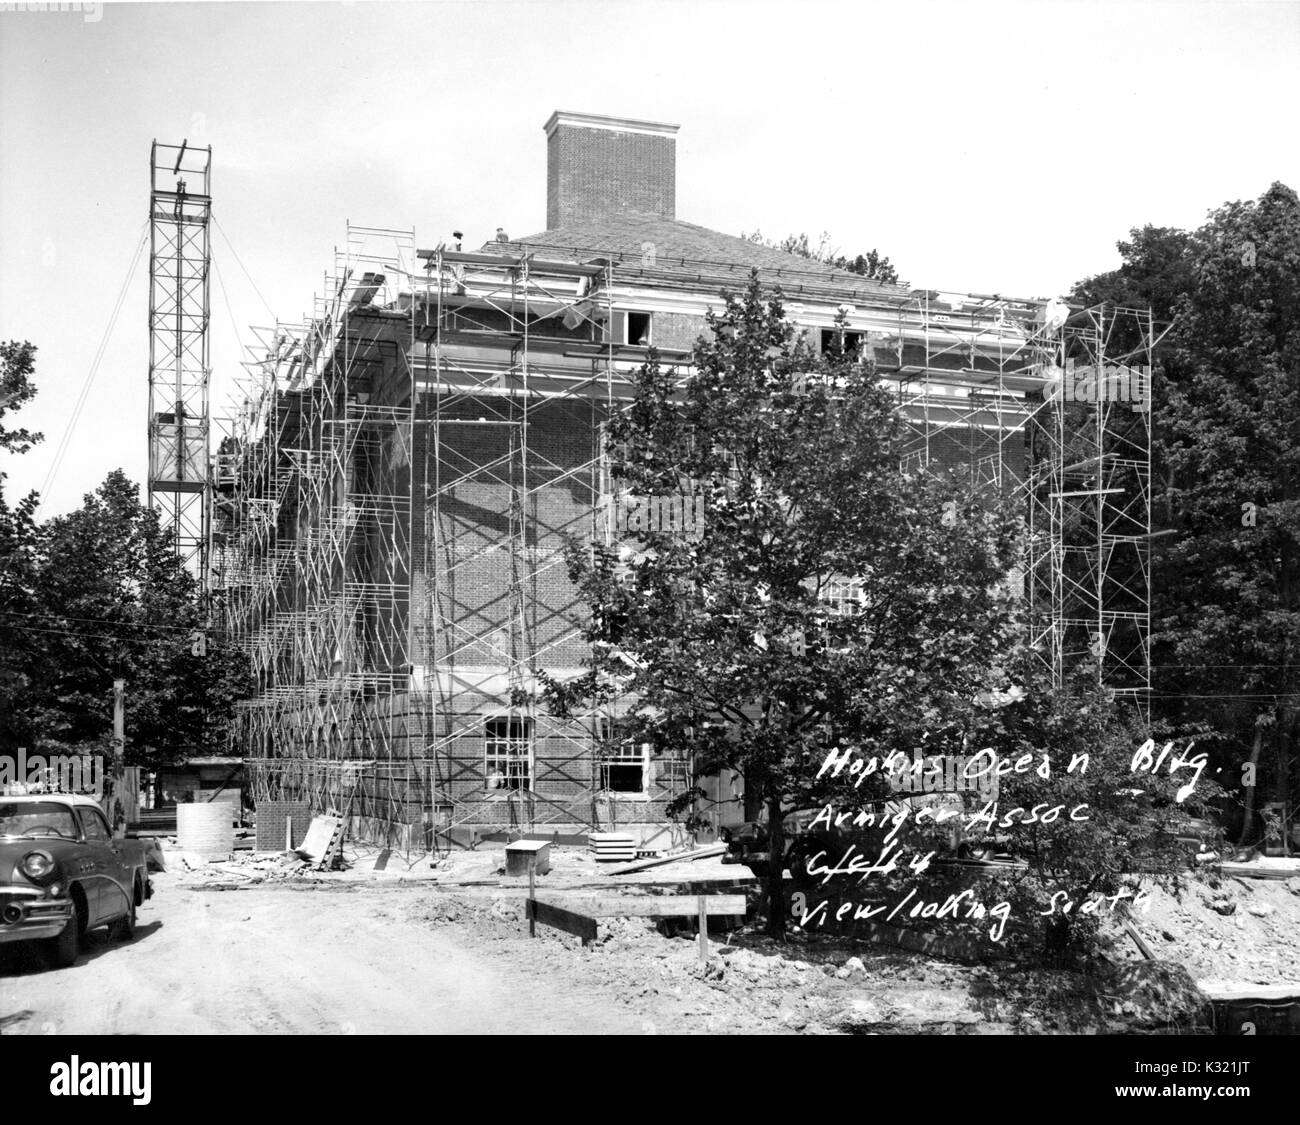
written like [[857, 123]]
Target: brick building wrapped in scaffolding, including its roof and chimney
[[393, 497]]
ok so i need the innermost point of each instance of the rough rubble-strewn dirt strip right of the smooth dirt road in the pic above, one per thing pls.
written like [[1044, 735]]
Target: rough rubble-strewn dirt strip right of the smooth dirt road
[[817, 985]]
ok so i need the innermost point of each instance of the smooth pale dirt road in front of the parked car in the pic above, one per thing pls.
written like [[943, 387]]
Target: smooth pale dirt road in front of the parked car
[[280, 962]]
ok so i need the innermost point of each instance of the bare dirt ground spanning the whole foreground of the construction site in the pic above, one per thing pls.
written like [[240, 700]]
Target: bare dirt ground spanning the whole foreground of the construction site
[[263, 946]]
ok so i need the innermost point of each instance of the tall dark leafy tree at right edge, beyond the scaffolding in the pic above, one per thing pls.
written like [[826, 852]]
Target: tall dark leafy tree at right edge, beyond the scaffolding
[[1227, 474]]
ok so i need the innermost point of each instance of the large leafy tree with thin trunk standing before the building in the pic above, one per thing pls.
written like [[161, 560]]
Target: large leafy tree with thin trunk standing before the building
[[736, 647]]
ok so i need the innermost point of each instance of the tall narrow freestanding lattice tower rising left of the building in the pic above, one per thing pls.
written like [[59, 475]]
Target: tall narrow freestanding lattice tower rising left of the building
[[179, 413]]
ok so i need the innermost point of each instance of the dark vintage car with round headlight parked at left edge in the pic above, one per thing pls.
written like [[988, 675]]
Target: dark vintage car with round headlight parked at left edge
[[64, 873]]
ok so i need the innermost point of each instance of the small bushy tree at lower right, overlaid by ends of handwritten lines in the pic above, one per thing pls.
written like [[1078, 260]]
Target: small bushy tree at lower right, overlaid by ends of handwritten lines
[[1125, 836]]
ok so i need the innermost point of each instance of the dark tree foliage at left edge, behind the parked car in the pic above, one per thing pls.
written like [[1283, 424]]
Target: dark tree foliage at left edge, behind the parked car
[[94, 596]]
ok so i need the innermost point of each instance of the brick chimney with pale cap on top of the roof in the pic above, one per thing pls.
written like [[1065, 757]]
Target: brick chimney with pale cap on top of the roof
[[603, 167]]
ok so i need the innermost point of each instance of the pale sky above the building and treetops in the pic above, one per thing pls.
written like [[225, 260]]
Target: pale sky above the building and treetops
[[995, 148]]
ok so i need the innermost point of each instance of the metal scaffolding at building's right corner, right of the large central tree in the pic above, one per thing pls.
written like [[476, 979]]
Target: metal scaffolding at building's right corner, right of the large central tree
[[1052, 406]]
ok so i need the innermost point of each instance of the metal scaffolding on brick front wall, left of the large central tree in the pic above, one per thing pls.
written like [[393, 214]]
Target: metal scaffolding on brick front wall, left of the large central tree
[[518, 374]]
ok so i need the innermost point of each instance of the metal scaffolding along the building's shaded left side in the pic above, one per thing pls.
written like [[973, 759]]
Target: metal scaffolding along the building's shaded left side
[[315, 534]]
